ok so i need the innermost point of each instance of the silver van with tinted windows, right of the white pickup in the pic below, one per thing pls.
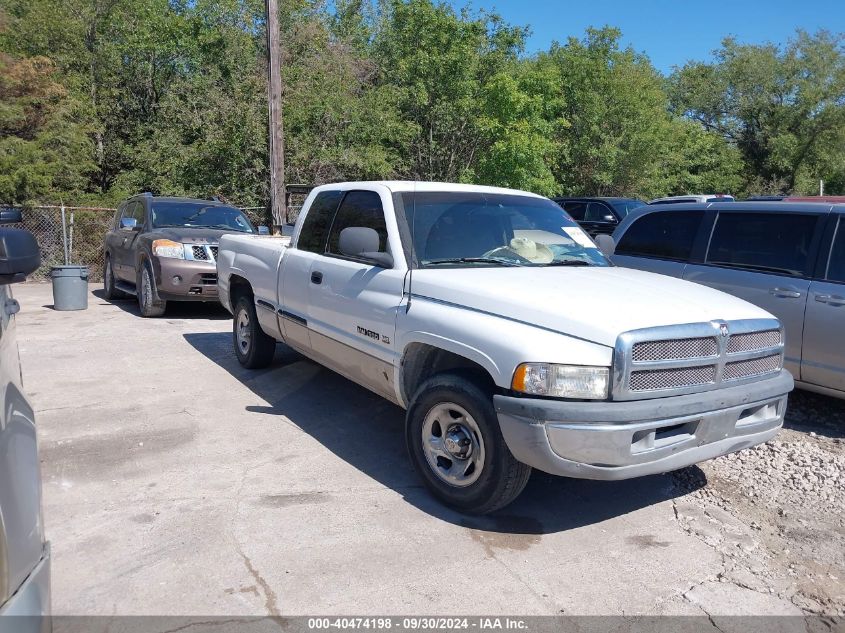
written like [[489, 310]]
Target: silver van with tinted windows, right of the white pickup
[[788, 258]]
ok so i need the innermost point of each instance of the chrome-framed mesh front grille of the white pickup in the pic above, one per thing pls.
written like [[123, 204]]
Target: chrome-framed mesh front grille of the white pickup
[[674, 360]]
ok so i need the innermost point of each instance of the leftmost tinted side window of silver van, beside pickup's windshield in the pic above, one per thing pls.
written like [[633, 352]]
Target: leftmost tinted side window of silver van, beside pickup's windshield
[[665, 235]]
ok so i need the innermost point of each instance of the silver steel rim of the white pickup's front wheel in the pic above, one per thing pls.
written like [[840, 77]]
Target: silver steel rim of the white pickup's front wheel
[[453, 445]]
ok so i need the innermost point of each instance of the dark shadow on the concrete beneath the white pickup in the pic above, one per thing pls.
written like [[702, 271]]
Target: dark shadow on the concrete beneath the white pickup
[[368, 432]]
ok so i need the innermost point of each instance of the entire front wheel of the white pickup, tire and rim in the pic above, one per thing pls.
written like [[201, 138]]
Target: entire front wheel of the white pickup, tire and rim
[[457, 447]]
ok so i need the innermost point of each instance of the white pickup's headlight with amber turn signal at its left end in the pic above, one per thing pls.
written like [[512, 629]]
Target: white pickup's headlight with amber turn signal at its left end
[[562, 381]]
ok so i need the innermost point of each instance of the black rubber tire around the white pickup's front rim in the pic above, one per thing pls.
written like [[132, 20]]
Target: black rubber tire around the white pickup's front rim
[[501, 478]]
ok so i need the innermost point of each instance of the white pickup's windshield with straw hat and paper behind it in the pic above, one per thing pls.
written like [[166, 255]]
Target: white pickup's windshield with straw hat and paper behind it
[[483, 229]]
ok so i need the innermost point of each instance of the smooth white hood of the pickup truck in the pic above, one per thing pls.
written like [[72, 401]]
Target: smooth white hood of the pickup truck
[[592, 303]]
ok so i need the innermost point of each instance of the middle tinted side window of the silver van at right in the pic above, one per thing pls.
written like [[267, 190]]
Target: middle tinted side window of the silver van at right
[[768, 242]]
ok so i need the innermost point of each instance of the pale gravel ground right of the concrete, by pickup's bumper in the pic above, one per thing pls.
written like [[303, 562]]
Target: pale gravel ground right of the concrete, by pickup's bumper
[[776, 513]]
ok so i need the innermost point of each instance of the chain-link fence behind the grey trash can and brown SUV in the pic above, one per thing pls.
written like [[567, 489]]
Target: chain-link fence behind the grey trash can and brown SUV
[[85, 229]]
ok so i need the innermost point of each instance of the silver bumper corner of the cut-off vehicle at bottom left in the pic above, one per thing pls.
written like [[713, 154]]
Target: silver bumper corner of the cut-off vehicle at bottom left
[[28, 610]]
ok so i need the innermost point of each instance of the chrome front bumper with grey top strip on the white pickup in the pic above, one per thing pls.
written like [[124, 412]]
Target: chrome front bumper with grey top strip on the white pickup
[[621, 440]]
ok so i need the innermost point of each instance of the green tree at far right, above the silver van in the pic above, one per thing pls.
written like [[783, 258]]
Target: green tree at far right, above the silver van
[[782, 107]]
